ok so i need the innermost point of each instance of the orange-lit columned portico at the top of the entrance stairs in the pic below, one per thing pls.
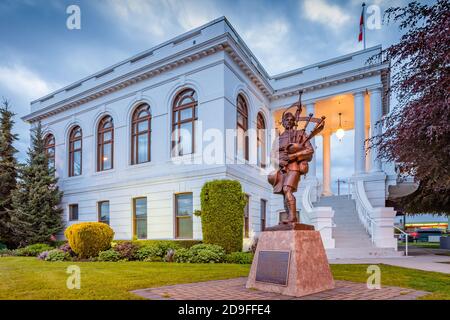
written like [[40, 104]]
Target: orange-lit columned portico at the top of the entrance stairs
[[359, 110]]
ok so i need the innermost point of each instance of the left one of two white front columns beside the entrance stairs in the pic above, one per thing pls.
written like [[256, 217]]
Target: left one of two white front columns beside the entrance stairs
[[359, 133]]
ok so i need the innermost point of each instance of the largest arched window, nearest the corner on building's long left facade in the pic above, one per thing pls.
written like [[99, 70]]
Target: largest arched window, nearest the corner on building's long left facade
[[184, 114]]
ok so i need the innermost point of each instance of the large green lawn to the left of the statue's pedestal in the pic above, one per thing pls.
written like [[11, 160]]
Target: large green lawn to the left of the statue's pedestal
[[30, 278]]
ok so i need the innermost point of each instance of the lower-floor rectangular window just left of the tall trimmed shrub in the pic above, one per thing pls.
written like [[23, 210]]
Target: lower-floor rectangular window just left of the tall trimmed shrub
[[183, 216]]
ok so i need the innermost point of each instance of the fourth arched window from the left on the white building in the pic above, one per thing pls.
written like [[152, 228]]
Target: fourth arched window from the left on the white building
[[140, 134]]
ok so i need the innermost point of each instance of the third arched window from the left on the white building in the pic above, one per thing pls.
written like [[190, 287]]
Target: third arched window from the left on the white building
[[105, 144]]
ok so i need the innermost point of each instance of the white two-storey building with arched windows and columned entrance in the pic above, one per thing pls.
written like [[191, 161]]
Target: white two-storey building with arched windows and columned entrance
[[111, 136]]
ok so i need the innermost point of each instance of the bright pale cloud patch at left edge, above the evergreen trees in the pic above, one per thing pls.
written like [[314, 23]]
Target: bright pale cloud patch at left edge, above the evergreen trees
[[23, 82]]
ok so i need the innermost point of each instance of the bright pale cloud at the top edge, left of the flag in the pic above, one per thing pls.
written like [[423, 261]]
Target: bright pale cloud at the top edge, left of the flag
[[330, 15]]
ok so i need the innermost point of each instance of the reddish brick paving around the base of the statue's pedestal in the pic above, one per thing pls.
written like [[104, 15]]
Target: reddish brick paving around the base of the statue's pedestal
[[234, 289]]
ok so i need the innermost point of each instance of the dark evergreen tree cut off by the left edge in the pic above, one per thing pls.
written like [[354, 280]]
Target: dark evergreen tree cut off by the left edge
[[8, 170]]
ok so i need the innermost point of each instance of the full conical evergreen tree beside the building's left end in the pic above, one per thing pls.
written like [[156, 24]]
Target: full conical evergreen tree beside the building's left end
[[36, 214]]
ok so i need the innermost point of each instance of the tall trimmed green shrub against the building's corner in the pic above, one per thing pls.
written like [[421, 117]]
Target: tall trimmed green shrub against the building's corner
[[222, 214]]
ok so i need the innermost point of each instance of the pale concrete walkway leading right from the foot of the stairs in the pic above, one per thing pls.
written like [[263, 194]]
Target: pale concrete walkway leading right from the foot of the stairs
[[421, 259]]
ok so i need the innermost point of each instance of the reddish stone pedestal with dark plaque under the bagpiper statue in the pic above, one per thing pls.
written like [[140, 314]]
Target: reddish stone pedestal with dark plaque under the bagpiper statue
[[291, 262]]
